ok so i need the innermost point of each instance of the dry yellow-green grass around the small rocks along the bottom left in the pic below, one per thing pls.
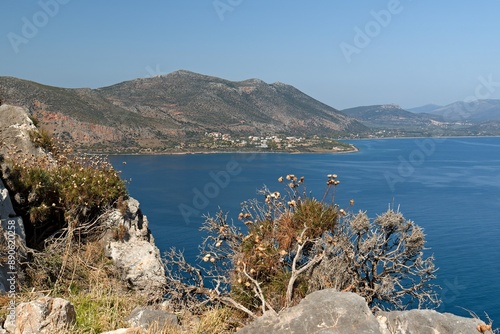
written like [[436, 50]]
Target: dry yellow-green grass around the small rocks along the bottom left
[[102, 302]]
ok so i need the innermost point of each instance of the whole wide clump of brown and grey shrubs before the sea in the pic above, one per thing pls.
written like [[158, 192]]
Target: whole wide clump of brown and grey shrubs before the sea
[[293, 245]]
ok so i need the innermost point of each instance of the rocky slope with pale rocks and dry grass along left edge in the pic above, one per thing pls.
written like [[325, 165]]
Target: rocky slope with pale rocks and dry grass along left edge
[[118, 256]]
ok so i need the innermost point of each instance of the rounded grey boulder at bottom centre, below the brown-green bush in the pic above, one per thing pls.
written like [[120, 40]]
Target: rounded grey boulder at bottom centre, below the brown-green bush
[[326, 312]]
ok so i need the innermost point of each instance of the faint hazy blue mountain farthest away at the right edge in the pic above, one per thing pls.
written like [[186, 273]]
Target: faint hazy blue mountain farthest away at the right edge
[[475, 111]]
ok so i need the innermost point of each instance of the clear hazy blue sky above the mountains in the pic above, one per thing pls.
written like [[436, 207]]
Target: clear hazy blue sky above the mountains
[[343, 53]]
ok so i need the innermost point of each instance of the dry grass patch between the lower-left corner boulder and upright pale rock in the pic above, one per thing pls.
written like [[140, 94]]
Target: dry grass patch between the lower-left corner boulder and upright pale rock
[[82, 274]]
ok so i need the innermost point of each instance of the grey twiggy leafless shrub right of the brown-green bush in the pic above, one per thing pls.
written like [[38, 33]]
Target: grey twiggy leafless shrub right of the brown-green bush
[[382, 260]]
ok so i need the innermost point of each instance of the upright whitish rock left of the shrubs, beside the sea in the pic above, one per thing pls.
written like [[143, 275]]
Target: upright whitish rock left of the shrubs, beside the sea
[[131, 247]]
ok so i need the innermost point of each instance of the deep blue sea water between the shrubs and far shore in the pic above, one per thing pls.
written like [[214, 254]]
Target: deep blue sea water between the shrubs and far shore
[[450, 187]]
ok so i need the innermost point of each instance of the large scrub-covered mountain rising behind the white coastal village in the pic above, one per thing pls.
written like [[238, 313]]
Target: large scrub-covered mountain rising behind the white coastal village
[[169, 110]]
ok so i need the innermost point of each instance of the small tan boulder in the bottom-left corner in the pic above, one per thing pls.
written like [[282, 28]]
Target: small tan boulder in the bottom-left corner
[[43, 316]]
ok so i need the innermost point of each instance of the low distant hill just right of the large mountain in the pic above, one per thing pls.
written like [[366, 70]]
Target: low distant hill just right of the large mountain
[[388, 116]]
